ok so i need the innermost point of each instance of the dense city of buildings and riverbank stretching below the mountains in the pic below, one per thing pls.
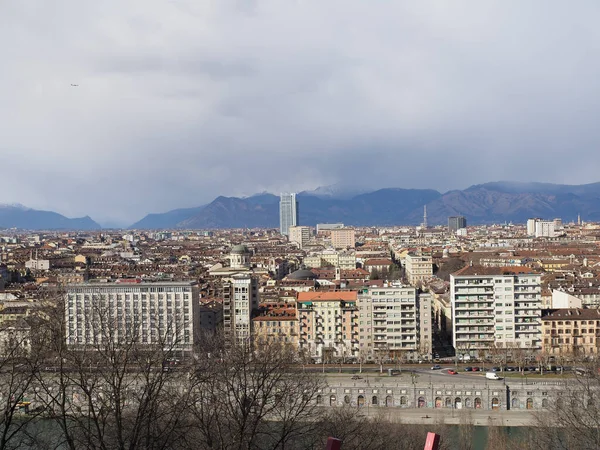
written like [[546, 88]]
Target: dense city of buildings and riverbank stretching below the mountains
[[456, 318]]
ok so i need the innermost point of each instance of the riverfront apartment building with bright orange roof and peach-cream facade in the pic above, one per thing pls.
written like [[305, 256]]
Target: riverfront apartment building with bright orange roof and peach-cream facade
[[328, 324]]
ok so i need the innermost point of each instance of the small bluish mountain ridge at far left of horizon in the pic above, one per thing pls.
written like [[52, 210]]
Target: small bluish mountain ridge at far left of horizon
[[19, 216]]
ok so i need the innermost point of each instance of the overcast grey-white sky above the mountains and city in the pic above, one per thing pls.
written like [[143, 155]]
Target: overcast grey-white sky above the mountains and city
[[181, 101]]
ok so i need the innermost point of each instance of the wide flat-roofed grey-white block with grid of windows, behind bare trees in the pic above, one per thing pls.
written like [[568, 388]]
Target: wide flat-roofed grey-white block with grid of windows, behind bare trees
[[147, 312]]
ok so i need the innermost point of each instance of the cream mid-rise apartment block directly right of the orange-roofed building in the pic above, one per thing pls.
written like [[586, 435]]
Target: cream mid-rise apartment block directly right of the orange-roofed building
[[394, 322]]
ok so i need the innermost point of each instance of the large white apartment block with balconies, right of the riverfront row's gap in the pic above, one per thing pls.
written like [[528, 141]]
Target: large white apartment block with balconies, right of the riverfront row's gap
[[495, 307]]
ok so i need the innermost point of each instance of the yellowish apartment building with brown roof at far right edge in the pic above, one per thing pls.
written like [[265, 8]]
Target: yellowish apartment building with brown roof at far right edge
[[572, 332]]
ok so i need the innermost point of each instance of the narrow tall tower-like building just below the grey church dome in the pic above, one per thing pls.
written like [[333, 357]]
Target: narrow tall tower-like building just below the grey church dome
[[240, 305]]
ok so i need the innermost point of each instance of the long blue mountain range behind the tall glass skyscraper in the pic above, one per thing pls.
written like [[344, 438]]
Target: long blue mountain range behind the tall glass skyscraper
[[495, 202]]
